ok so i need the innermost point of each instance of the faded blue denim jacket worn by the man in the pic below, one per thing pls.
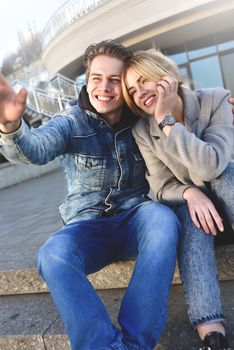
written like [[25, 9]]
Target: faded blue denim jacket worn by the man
[[104, 169]]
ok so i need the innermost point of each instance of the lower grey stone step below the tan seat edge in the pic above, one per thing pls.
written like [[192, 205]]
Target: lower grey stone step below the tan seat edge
[[31, 322]]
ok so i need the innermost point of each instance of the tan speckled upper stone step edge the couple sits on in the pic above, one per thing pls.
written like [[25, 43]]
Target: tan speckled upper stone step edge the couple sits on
[[117, 275]]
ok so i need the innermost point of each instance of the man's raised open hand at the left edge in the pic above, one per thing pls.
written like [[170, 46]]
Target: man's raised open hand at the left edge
[[12, 106]]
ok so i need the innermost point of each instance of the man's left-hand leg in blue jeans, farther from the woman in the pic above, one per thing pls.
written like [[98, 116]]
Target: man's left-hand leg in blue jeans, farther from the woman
[[63, 262]]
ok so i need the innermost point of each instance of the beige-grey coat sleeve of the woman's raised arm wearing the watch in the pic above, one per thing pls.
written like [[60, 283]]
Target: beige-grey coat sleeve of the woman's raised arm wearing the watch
[[207, 156]]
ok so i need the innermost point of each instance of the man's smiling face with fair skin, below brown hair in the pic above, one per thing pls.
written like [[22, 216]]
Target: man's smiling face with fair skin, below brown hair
[[104, 86]]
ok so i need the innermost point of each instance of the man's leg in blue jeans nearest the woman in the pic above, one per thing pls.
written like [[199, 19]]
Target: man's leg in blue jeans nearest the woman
[[151, 232]]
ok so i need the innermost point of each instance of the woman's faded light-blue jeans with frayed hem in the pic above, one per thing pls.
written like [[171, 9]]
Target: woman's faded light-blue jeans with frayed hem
[[197, 259]]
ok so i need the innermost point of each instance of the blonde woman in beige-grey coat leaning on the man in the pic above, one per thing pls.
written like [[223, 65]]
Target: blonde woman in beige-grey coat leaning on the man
[[186, 139]]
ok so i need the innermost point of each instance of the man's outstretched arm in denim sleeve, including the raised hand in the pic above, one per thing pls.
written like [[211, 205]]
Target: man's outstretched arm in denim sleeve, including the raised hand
[[19, 143]]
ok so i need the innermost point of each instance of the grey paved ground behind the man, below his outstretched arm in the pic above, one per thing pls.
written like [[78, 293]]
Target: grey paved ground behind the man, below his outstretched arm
[[29, 214]]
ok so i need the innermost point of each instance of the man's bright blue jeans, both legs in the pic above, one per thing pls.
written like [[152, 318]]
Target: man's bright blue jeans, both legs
[[150, 233]]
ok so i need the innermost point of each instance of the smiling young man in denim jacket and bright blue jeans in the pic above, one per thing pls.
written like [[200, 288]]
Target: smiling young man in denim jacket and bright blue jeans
[[107, 214]]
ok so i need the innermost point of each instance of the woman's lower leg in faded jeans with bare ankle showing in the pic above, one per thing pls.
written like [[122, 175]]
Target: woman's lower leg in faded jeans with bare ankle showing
[[199, 276]]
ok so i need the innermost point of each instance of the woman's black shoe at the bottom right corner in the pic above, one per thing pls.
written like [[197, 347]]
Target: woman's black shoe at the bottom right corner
[[215, 341]]
